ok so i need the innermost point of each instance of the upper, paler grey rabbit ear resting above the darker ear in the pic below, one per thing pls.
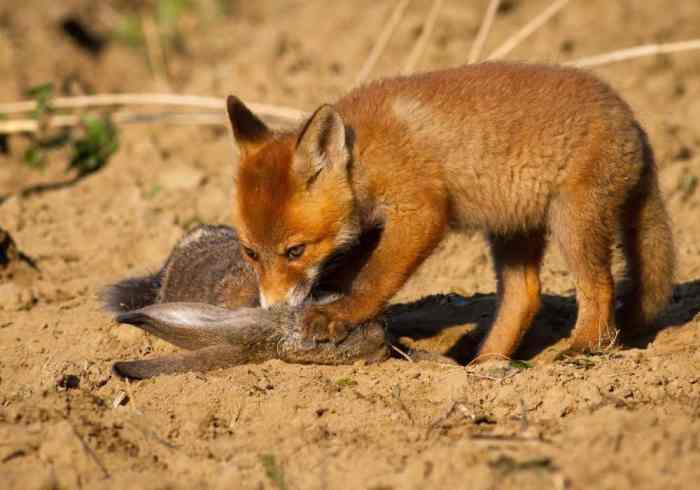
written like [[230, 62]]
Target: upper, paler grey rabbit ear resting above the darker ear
[[198, 325]]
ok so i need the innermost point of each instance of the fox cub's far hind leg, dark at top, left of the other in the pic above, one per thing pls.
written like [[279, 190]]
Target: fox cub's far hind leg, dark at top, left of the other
[[517, 260]]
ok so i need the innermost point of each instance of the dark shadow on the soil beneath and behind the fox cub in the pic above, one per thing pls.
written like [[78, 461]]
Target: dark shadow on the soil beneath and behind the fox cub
[[455, 325]]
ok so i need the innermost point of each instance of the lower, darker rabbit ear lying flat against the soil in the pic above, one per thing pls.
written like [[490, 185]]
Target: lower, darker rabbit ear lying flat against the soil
[[214, 357]]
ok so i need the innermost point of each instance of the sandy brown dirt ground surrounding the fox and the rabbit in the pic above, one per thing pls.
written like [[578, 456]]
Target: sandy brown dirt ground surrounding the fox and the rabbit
[[626, 419]]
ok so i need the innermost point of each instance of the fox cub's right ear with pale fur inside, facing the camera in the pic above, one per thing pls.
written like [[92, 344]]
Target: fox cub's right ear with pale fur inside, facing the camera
[[322, 144]]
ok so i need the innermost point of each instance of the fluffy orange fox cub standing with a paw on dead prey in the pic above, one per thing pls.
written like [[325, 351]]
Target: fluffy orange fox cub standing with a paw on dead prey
[[520, 151]]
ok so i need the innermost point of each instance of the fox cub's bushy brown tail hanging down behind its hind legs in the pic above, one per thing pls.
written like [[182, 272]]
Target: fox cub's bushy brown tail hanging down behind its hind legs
[[649, 251]]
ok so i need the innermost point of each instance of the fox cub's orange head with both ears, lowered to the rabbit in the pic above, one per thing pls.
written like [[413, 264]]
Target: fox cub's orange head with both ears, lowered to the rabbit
[[293, 203]]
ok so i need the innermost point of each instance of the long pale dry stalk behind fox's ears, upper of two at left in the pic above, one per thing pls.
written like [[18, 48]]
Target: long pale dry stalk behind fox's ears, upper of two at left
[[108, 100]]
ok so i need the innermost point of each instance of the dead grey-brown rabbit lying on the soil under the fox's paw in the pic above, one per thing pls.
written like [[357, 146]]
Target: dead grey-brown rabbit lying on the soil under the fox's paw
[[205, 299]]
